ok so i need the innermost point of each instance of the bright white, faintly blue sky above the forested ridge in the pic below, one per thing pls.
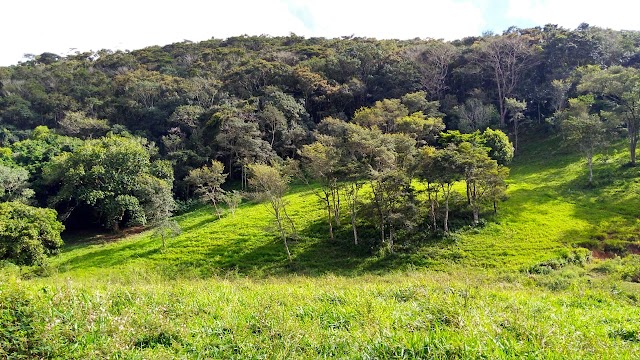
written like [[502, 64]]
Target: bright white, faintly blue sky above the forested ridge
[[68, 26]]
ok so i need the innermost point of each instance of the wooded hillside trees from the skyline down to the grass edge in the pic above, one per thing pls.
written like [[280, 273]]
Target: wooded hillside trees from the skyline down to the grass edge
[[126, 129]]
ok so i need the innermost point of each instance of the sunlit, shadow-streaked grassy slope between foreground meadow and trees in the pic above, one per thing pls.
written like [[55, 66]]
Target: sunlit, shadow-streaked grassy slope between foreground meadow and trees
[[550, 208]]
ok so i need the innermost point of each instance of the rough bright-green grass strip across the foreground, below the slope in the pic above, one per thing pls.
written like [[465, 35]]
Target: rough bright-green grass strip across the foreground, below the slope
[[401, 315]]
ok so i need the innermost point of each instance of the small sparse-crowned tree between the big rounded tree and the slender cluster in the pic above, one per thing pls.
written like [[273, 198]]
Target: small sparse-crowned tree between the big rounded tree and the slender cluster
[[208, 181]]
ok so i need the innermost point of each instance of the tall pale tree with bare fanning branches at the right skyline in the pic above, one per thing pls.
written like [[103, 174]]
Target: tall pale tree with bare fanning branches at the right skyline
[[507, 57]]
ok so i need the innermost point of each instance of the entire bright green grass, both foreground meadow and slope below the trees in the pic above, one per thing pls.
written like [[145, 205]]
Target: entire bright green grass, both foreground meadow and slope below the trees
[[518, 287]]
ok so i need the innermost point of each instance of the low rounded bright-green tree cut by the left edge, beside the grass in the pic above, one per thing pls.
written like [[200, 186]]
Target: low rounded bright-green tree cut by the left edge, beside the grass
[[28, 234]]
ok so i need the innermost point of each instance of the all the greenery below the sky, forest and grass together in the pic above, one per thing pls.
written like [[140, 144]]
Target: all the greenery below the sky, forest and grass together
[[375, 164]]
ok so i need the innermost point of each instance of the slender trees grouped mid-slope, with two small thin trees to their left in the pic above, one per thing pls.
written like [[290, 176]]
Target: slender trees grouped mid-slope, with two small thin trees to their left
[[386, 147]]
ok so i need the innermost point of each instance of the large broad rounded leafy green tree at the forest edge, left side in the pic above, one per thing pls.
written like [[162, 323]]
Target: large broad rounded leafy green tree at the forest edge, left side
[[114, 176]]
